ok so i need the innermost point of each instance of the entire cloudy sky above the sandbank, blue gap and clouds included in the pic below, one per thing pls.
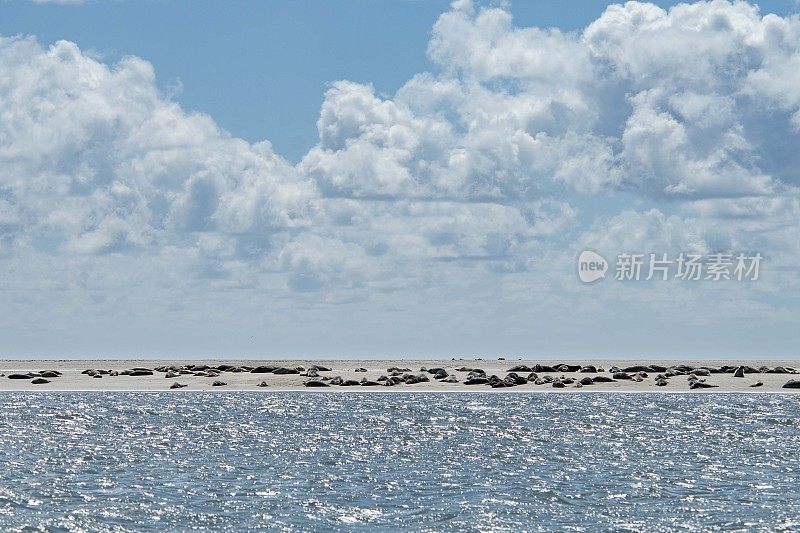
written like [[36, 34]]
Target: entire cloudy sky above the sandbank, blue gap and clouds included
[[359, 179]]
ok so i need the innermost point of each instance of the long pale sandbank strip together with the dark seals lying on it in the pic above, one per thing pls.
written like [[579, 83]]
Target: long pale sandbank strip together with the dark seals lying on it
[[404, 375]]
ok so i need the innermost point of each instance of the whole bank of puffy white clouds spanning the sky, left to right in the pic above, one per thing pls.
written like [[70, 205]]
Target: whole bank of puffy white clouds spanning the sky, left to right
[[677, 128]]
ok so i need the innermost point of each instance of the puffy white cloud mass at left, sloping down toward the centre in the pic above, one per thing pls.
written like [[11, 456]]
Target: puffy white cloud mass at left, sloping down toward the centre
[[95, 160]]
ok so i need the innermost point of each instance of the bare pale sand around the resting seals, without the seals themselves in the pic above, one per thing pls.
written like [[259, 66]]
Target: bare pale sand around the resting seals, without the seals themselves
[[72, 379]]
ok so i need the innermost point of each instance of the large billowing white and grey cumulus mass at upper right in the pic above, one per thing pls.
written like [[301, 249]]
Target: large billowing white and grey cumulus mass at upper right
[[694, 102]]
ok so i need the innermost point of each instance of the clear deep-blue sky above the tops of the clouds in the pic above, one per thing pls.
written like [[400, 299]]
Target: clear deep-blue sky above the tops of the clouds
[[261, 68]]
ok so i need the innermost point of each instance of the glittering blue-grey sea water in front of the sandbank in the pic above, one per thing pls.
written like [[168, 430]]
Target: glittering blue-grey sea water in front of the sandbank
[[399, 462]]
